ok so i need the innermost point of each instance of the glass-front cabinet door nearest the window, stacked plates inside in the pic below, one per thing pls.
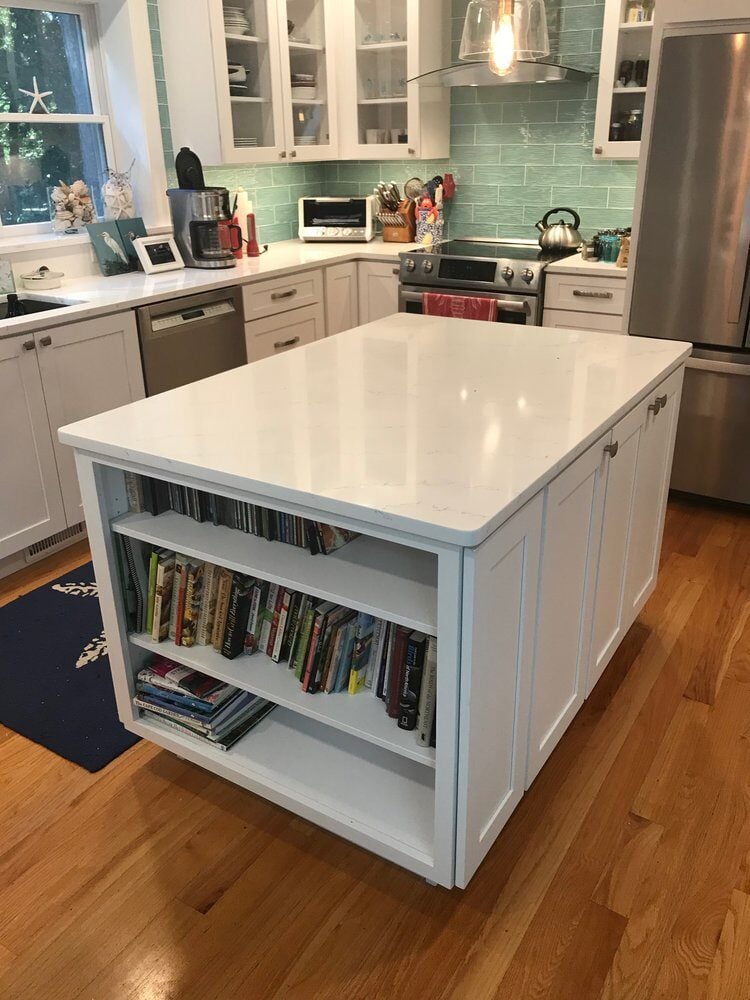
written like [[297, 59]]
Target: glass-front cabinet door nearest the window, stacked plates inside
[[253, 123]]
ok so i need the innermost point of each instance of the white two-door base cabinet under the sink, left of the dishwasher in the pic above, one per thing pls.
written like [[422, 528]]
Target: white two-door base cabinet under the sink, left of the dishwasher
[[48, 379]]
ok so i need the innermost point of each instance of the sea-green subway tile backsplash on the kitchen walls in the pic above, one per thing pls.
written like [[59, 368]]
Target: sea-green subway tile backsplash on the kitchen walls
[[516, 150]]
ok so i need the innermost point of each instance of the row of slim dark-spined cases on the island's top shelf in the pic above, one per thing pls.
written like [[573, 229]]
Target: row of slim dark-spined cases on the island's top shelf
[[156, 497]]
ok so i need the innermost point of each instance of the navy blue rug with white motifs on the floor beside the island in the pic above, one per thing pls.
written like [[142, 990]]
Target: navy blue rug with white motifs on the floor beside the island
[[55, 684]]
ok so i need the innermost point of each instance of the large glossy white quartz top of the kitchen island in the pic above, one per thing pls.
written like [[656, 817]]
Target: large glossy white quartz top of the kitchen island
[[439, 427]]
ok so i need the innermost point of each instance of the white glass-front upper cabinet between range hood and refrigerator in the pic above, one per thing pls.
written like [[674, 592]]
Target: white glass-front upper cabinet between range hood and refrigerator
[[623, 77]]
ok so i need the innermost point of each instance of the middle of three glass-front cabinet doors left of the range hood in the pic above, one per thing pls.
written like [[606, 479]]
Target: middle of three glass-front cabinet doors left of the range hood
[[307, 35]]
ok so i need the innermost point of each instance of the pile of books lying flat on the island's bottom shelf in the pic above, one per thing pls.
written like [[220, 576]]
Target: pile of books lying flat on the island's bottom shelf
[[198, 705]]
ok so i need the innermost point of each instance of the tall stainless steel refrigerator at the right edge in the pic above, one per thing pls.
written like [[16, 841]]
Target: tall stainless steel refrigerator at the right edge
[[691, 279]]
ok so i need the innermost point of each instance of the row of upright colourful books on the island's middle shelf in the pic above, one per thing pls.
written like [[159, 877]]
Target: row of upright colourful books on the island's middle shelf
[[329, 648]]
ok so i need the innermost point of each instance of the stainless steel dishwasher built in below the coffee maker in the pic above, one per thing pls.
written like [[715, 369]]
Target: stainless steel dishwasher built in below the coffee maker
[[183, 340]]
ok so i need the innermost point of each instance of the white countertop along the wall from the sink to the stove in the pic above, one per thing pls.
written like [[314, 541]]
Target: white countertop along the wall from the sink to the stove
[[96, 295]]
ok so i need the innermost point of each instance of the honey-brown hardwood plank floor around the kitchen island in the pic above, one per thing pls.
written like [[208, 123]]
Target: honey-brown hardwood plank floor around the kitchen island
[[623, 875]]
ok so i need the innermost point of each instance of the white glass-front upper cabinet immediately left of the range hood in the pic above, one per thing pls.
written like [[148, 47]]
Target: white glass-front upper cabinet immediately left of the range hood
[[385, 43]]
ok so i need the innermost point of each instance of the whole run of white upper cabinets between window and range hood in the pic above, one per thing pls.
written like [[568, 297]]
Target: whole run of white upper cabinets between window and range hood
[[269, 81]]
